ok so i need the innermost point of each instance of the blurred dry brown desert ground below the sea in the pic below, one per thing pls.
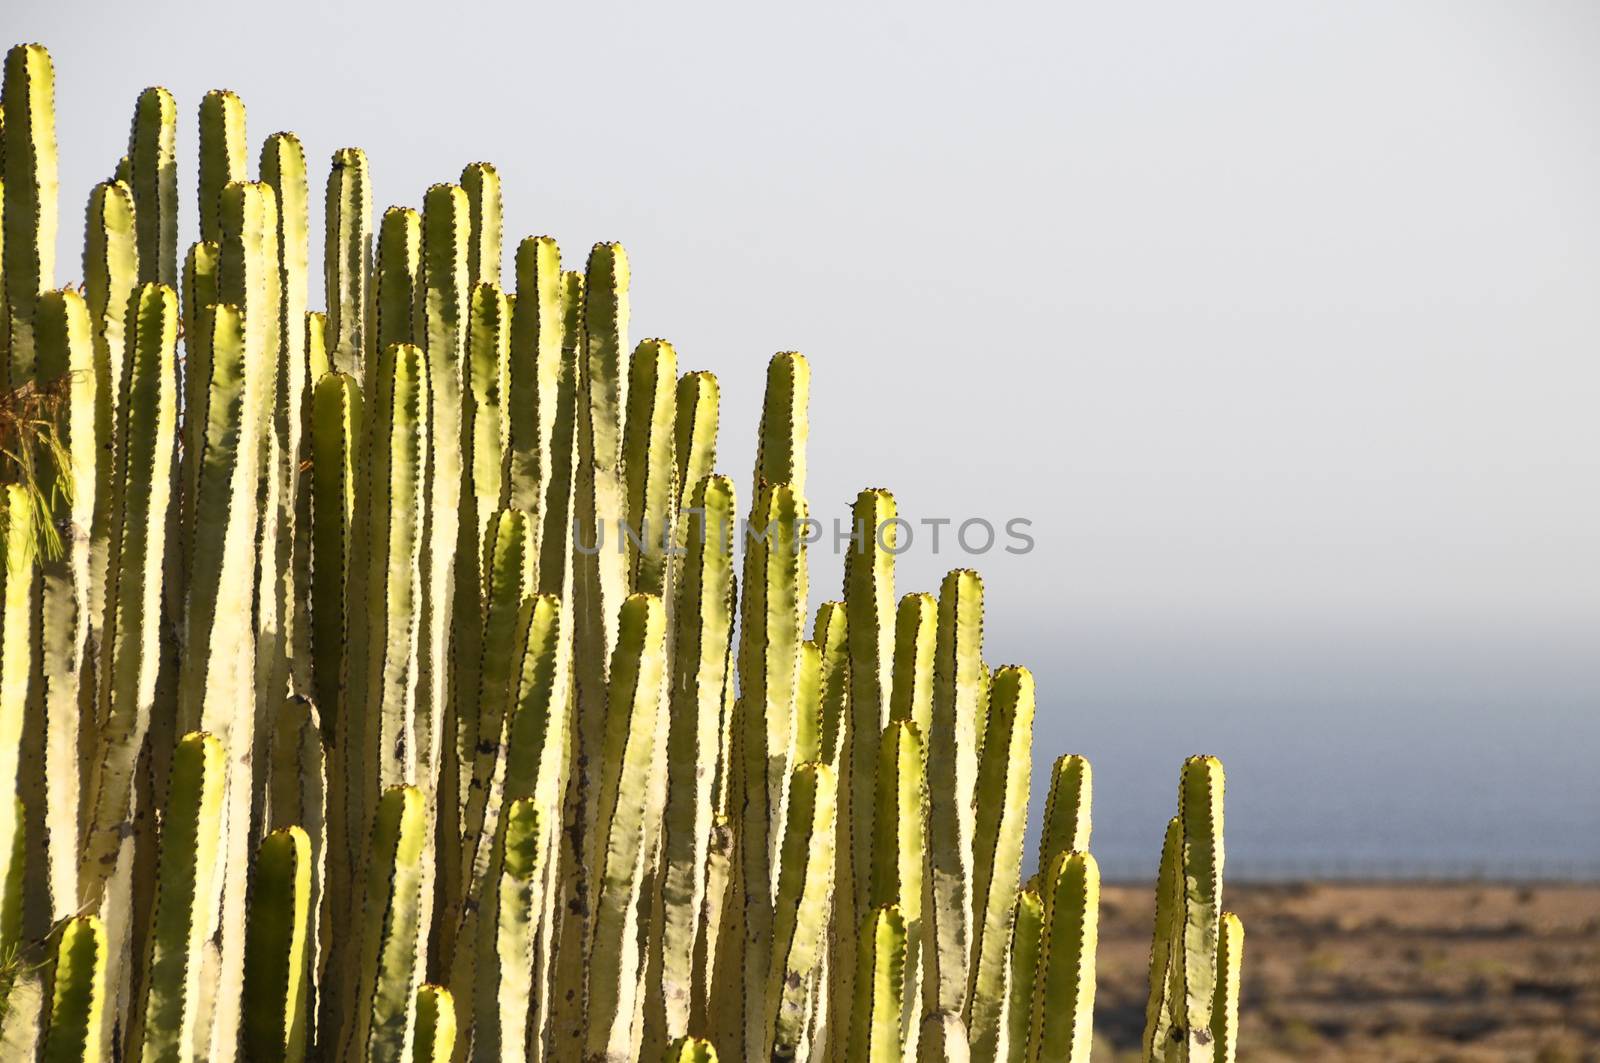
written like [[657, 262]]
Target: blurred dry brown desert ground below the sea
[[1386, 974]]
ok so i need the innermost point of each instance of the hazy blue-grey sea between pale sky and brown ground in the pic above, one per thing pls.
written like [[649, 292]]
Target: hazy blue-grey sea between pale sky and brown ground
[[1345, 760]]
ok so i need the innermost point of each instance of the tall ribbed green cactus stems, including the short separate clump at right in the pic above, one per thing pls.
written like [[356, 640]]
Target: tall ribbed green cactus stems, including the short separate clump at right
[[337, 728]]
